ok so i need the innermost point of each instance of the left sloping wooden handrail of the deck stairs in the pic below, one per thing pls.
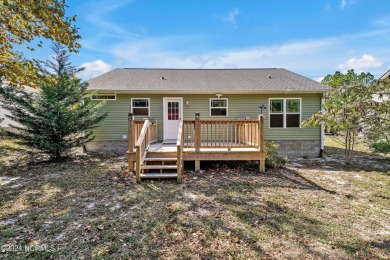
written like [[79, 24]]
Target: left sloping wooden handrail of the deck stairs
[[141, 147]]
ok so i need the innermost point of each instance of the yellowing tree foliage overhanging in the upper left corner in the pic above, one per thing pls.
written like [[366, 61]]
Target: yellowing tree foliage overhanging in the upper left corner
[[25, 24]]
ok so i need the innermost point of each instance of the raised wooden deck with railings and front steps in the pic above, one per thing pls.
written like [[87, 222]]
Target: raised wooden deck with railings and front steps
[[197, 140]]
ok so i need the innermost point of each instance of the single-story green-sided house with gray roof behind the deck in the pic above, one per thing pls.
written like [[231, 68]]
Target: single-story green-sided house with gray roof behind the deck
[[167, 95]]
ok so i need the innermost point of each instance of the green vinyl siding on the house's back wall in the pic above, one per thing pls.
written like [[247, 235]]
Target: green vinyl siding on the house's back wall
[[239, 107]]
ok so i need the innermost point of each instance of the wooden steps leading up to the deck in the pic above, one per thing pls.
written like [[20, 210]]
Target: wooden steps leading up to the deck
[[159, 165]]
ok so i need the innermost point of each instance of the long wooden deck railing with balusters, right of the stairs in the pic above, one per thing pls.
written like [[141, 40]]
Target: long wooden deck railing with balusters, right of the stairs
[[224, 133]]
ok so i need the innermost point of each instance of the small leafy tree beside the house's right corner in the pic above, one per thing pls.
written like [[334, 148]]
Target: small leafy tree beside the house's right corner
[[345, 108]]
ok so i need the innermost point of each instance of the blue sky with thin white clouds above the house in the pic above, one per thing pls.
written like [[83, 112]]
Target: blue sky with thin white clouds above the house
[[311, 37]]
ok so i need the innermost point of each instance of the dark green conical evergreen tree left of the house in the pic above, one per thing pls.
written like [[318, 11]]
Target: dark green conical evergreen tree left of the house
[[59, 116]]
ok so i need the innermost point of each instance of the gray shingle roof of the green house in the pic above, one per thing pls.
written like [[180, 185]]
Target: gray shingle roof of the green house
[[204, 81]]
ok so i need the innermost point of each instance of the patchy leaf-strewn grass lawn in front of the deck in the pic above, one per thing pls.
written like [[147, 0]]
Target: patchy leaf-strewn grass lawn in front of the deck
[[86, 207]]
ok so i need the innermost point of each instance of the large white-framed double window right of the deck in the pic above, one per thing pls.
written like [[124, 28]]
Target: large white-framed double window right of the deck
[[284, 112]]
